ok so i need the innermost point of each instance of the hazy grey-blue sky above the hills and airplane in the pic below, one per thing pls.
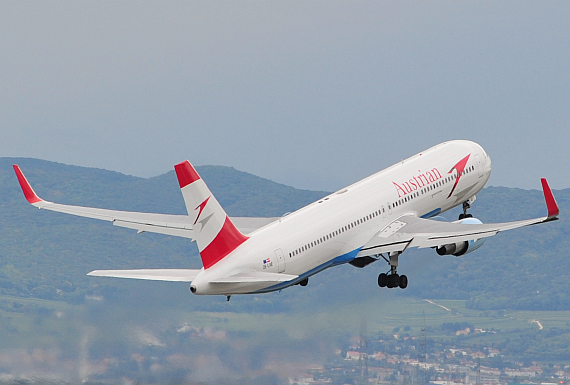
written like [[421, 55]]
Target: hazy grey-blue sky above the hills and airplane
[[315, 94]]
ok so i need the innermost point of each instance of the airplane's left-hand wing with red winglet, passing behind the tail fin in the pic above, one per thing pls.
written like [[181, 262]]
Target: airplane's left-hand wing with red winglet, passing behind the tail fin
[[175, 225]]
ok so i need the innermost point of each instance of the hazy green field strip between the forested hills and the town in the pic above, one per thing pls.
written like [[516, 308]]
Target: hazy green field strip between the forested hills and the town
[[44, 320]]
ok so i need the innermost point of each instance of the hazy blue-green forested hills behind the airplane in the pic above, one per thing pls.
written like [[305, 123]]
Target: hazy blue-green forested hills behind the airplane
[[46, 254]]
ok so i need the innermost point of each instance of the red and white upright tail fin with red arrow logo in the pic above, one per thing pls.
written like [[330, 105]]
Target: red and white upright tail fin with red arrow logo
[[214, 232]]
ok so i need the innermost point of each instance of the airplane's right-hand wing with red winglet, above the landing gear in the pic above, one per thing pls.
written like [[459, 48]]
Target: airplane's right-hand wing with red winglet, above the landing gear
[[411, 231]]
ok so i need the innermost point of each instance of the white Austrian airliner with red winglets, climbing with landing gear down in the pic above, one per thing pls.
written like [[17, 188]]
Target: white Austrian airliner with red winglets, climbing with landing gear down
[[378, 217]]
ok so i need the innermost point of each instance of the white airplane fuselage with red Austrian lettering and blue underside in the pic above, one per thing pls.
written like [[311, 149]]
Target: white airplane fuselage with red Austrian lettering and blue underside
[[332, 230]]
